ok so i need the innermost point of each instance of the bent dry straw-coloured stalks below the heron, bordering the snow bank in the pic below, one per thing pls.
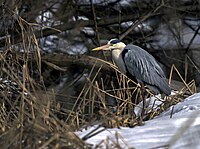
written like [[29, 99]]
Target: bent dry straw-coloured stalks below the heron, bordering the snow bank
[[95, 95]]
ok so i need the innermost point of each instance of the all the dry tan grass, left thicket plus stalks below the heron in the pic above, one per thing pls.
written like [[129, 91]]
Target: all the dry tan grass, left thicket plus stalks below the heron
[[28, 112]]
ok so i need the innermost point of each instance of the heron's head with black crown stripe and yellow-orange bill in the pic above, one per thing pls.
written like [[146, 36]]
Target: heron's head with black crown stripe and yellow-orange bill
[[113, 44]]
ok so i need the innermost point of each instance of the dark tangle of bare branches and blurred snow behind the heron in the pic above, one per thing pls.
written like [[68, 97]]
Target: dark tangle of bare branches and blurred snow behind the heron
[[168, 29]]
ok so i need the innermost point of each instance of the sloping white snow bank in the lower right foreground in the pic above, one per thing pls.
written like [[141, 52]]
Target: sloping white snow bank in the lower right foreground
[[180, 131]]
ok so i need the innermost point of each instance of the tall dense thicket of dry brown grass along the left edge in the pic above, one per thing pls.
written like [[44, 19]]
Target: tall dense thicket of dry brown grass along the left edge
[[27, 111]]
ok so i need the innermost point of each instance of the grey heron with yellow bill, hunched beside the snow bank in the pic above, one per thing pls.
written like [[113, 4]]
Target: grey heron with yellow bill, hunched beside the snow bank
[[135, 61]]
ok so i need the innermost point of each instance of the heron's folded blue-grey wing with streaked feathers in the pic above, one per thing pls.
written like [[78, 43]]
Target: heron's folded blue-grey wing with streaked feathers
[[144, 67]]
